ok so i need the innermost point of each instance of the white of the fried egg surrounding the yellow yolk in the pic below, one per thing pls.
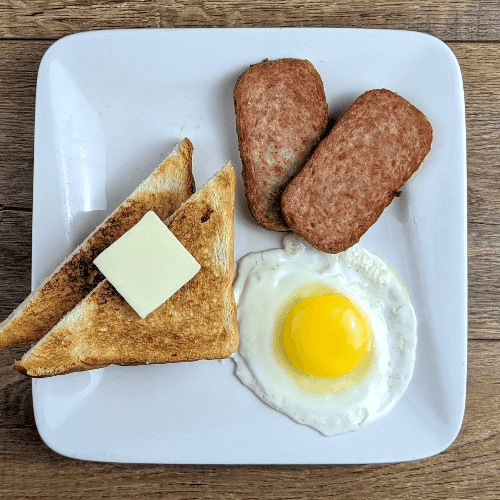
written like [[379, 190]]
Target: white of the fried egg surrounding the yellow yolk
[[268, 280]]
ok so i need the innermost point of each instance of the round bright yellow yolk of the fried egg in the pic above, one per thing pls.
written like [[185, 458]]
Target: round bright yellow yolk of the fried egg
[[325, 336]]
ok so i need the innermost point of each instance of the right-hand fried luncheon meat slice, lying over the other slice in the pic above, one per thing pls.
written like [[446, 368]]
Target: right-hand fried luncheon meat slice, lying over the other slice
[[357, 170]]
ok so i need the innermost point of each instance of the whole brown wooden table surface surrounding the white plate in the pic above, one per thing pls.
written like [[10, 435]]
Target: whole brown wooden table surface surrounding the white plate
[[470, 468]]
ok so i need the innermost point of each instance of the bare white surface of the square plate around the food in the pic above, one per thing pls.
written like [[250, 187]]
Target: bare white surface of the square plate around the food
[[111, 104]]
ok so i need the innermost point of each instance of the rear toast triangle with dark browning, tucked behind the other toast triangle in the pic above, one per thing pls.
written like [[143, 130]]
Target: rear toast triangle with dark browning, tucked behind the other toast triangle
[[169, 185]]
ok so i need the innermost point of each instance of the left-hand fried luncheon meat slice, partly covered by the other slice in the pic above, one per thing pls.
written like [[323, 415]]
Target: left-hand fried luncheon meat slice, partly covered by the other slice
[[281, 113]]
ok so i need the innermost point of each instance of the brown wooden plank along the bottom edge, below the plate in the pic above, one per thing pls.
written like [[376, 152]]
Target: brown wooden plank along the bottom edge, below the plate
[[465, 470]]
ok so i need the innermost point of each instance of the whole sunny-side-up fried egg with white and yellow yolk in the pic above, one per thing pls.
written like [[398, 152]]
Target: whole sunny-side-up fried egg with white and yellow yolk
[[327, 339]]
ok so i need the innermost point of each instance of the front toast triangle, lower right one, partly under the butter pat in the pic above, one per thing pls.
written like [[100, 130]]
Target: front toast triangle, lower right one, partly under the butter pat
[[197, 322]]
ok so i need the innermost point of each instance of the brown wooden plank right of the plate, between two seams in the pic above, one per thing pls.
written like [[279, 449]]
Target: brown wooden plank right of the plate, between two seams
[[481, 75]]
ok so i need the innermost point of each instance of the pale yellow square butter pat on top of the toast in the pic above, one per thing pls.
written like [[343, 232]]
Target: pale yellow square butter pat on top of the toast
[[147, 265]]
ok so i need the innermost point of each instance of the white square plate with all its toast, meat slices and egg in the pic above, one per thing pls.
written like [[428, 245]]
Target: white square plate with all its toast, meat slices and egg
[[305, 189]]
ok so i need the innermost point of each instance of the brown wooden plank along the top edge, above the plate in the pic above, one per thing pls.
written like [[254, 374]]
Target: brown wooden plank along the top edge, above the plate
[[451, 20]]
